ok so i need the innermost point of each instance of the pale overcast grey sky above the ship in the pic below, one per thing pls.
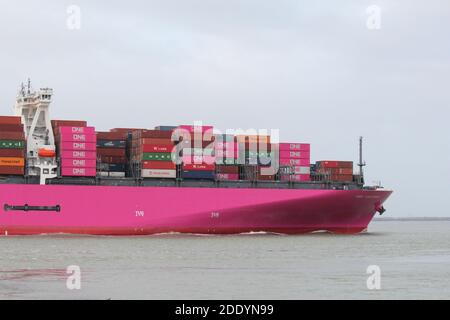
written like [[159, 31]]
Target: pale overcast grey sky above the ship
[[310, 68]]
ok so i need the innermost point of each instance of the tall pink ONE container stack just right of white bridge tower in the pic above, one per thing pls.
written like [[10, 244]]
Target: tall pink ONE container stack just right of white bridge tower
[[76, 148]]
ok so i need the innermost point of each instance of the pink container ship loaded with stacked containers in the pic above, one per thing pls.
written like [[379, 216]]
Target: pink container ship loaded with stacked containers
[[73, 189]]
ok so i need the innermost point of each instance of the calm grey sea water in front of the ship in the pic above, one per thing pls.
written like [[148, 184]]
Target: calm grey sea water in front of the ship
[[413, 258]]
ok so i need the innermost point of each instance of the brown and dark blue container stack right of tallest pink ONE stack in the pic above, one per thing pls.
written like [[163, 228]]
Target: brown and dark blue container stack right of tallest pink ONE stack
[[111, 153]]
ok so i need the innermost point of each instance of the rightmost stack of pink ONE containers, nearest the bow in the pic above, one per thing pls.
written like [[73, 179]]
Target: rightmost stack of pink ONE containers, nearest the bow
[[295, 159]]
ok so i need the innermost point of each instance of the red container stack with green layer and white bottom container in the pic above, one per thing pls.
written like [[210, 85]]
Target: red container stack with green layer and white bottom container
[[152, 149]]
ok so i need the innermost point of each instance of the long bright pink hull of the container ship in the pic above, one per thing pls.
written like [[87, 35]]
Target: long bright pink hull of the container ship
[[110, 210]]
